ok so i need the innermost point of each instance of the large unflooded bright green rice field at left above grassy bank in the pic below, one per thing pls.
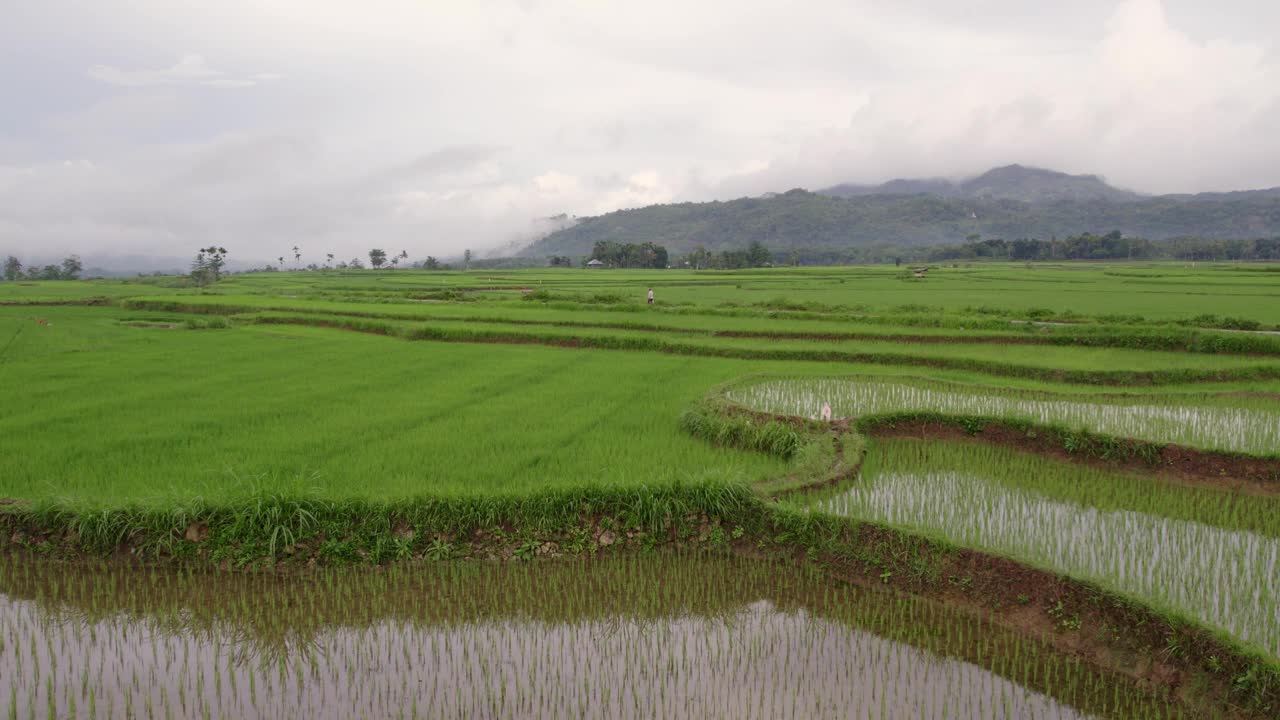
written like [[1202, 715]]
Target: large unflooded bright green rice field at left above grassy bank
[[103, 413]]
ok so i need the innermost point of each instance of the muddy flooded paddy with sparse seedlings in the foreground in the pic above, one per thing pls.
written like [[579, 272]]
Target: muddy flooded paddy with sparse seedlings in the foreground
[[637, 637]]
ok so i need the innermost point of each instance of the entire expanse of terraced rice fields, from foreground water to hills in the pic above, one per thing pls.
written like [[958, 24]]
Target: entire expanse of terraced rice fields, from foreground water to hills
[[560, 540]]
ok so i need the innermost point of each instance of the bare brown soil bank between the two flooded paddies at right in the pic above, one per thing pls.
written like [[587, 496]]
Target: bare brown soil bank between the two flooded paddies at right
[[1251, 476]]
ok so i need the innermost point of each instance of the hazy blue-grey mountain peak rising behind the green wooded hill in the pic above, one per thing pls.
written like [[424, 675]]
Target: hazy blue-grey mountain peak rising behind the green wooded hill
[[1012, 183]]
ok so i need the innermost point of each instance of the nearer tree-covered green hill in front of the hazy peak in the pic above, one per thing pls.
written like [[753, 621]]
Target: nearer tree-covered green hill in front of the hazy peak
[[880, 227]]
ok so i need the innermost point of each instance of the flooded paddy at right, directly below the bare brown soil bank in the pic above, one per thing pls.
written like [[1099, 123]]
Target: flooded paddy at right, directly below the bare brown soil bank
[[1148, 541]]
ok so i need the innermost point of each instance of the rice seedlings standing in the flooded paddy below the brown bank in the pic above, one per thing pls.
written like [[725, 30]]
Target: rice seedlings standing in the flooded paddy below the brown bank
[[1222, 576]]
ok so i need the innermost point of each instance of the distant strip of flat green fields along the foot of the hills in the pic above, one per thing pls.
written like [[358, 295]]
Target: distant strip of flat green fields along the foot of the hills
[[1159, 291]]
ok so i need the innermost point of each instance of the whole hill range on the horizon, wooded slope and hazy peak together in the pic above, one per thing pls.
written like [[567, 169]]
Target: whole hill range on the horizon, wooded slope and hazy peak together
[[1011, 203]]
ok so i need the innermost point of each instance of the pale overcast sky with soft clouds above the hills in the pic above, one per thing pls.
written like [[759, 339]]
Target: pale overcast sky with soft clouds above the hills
[[159, 126]]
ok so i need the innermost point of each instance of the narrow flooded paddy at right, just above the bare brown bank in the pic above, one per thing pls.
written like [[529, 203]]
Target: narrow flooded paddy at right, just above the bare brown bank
[[1255, 430]]
